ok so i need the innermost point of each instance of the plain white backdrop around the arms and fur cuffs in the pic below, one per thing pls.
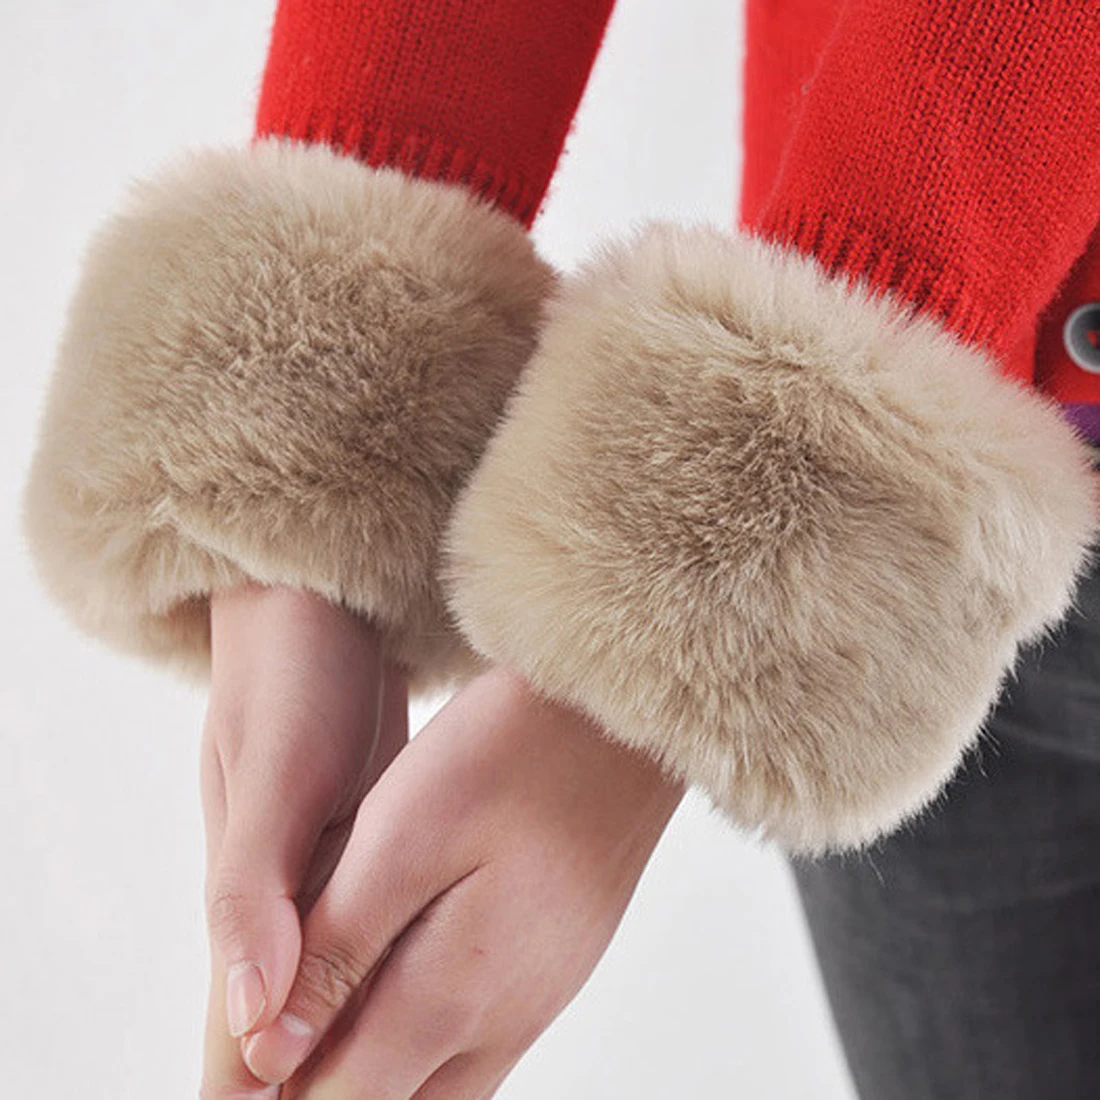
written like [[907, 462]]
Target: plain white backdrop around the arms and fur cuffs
[[710, 988]]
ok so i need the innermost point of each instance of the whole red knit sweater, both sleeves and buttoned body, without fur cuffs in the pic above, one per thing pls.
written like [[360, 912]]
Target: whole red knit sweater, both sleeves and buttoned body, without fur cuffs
[[939, 149]]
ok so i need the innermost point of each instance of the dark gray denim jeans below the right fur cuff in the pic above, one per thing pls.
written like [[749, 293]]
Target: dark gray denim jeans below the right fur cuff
[[962, 955]]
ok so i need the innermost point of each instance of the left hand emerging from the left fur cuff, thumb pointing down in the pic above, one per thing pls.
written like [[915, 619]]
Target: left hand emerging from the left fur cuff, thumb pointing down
[[304, 716]]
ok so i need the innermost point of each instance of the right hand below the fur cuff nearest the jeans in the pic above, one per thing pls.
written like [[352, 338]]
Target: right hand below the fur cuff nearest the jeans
[[486, 876]]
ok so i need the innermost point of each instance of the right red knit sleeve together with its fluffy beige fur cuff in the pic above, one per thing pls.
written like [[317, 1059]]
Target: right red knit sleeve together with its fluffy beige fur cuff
[[783, 533]]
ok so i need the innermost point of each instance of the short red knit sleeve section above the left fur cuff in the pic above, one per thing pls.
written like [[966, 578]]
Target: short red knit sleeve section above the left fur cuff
[[474, 92]]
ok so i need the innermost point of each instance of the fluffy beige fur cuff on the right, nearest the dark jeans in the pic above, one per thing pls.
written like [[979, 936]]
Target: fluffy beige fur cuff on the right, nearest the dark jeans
[[769, 530]]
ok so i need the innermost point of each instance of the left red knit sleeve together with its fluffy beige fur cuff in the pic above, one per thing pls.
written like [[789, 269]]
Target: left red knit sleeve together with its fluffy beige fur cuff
[[304, 351]]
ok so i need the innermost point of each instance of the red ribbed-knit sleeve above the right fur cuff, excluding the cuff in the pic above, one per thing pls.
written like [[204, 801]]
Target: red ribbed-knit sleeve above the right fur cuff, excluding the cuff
[[943, 151]]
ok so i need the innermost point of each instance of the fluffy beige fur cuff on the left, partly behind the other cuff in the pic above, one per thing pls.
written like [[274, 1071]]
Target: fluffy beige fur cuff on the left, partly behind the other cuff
[[279, 365]]
